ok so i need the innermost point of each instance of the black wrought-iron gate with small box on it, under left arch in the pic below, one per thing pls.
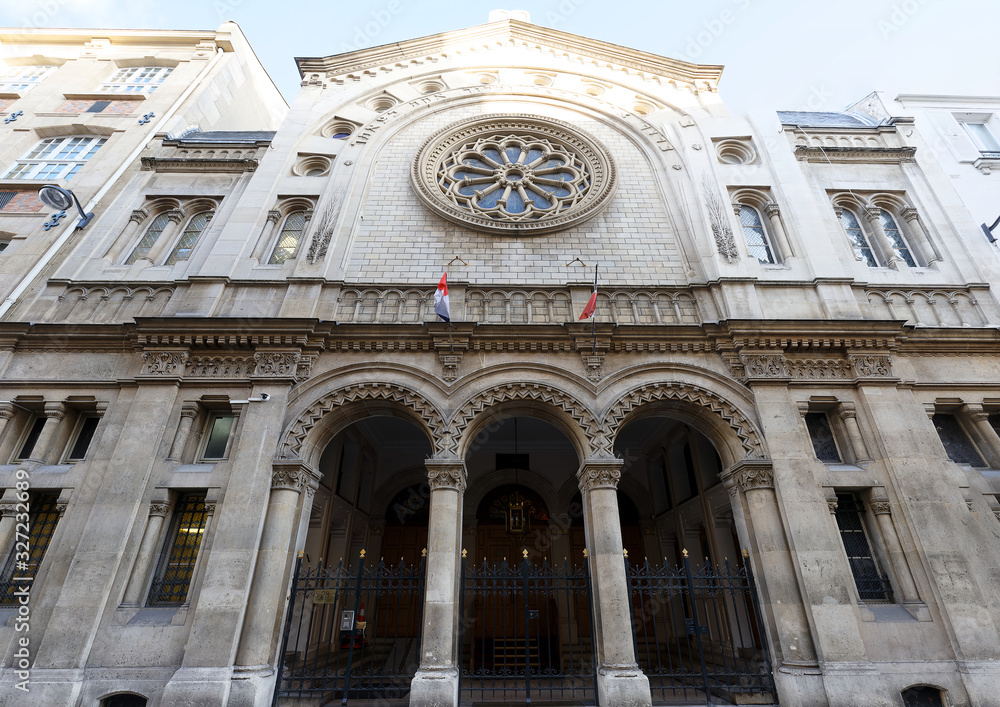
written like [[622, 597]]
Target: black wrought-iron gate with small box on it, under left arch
[[351, 633]]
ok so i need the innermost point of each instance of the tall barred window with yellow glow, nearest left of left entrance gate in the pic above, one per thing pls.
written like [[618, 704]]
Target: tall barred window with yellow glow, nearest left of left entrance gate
[[175, 569]]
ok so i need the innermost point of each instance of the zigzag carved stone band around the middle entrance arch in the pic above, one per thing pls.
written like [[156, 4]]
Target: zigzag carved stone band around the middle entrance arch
[[539, 392]]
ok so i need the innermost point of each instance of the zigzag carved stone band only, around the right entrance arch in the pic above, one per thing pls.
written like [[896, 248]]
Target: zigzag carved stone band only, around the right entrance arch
[[746, 432]]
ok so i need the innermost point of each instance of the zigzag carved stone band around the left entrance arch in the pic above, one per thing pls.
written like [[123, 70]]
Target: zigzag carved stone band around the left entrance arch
[[294, 439]]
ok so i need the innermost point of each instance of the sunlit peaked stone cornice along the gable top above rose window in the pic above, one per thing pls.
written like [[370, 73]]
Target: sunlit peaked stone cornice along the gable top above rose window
[[507, 30]]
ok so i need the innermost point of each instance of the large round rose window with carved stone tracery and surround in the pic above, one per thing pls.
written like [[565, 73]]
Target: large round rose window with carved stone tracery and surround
[[514, 174]]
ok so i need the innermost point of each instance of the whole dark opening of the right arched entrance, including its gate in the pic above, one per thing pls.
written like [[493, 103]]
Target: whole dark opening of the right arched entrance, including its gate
[[695, 617]]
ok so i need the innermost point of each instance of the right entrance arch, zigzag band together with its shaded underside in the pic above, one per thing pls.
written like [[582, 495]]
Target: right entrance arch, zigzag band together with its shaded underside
[[734, 435]]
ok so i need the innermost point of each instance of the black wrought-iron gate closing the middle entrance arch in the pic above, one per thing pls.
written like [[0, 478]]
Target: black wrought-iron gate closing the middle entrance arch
[[526, 633]]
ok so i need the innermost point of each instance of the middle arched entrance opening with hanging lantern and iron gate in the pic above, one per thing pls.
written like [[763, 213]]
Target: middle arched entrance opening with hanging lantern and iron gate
[[526, 630]]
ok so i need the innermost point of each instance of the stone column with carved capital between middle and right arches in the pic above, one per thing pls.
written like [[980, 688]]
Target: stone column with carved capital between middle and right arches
[[619, 679]]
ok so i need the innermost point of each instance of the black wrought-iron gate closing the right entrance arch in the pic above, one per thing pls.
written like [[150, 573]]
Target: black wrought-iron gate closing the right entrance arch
[[697, 632]]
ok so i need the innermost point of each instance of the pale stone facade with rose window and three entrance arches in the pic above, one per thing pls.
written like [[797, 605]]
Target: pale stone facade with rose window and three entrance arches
[[779, 360]]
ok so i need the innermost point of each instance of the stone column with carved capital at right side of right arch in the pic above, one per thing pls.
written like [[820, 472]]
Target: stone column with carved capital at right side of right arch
[[776, 579]]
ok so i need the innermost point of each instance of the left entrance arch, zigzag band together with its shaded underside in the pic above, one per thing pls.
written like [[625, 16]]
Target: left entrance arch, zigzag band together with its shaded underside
[[306, 436]]
